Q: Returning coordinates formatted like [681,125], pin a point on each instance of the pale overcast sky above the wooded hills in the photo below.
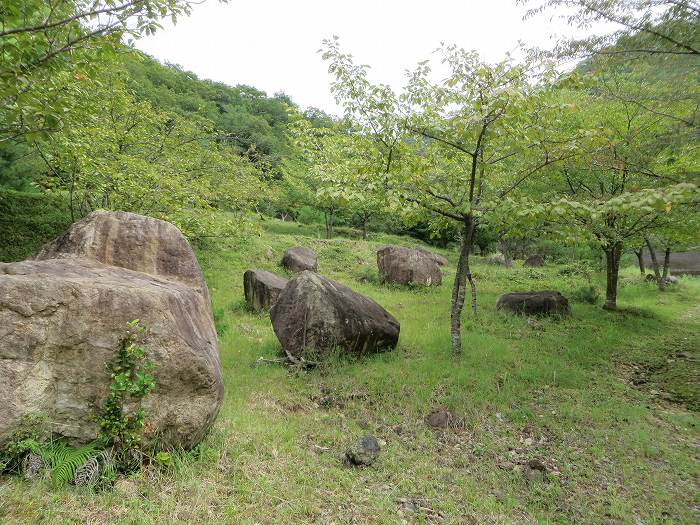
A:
[272,44]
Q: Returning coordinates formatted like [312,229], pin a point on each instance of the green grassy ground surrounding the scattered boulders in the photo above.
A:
[607,402]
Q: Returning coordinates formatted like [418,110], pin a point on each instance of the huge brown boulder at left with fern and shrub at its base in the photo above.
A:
[63,315]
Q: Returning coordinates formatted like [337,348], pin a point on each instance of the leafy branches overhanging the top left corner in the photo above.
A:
[48,46]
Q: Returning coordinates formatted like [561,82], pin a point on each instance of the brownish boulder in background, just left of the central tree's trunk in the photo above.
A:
[405,266]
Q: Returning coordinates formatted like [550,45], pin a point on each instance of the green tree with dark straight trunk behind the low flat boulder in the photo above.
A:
[630,174]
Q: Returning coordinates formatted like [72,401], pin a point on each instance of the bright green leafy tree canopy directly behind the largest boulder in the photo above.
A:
[119,153]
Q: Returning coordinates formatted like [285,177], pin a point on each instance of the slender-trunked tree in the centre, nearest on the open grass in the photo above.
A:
[451,150]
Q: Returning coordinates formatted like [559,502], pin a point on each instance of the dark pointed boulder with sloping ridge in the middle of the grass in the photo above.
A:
[318,315]
